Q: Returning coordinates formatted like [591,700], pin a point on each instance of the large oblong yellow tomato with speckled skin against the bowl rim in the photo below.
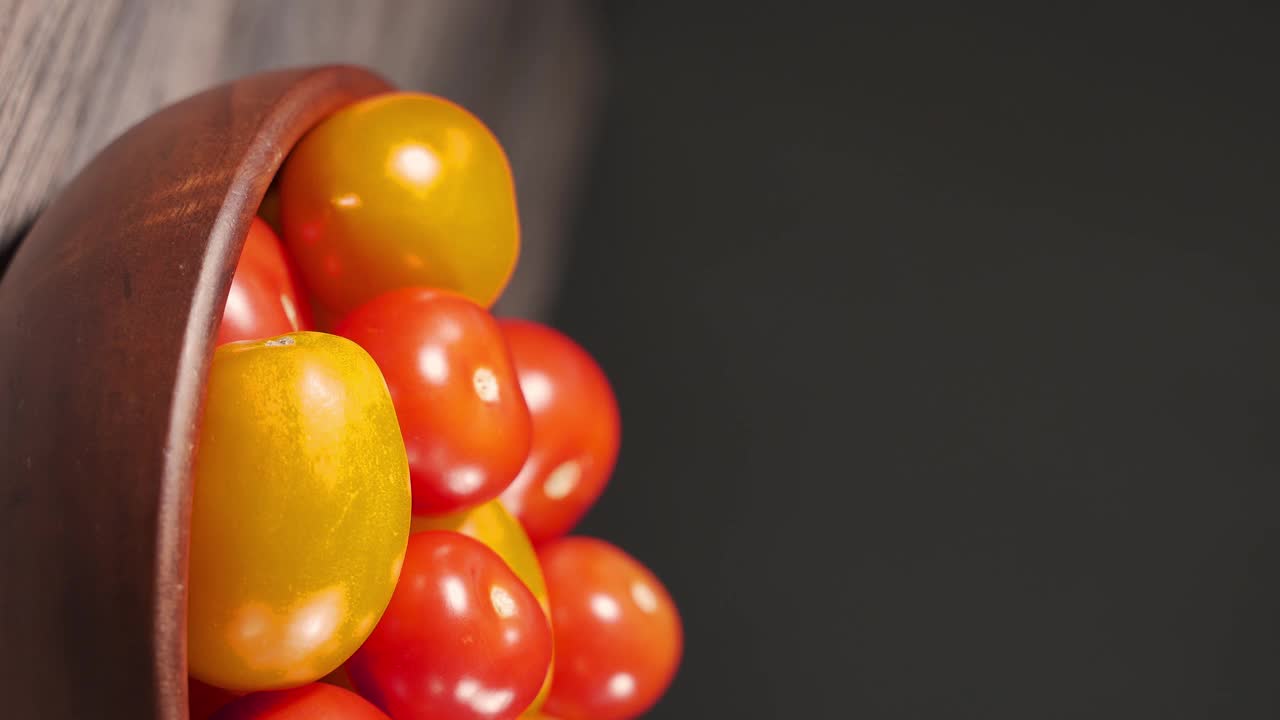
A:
[300,513]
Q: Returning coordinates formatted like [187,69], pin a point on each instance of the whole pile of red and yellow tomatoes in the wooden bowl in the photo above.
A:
[386,473]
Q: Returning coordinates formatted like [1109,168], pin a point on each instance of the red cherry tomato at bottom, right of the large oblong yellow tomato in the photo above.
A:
[461,640]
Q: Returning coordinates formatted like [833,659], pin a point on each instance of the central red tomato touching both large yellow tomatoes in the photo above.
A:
[465,423]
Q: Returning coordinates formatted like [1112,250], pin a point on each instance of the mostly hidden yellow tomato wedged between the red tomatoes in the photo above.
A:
[500,532]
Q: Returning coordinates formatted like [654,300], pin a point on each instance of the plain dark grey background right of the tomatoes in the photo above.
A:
[948,353]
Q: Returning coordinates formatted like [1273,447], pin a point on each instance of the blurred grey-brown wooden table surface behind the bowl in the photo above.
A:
[74,75]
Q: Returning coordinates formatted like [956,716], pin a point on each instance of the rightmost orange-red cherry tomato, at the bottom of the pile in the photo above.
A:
[619,637]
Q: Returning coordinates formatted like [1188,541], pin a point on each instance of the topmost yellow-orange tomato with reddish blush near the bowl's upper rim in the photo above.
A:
[396,192]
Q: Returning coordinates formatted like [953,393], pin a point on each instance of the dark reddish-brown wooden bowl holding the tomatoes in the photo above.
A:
[108,313]
